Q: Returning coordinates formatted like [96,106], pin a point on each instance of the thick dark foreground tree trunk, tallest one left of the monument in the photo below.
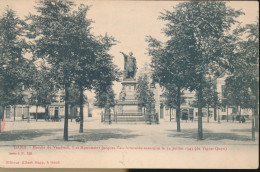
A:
[66,114]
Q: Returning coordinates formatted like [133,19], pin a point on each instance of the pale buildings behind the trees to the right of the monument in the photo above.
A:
[188,112]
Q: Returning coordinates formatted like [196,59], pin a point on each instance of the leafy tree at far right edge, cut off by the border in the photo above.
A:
[242,86]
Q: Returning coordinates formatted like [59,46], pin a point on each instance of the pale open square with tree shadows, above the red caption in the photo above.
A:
[97,133]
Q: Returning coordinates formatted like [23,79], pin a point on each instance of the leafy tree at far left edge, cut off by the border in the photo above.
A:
[14,67]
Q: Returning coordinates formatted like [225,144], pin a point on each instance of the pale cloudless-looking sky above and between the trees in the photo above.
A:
[129,22]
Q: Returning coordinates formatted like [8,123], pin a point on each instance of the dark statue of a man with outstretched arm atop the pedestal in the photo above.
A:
[129,66]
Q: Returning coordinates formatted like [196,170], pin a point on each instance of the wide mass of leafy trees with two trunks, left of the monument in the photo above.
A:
[54,47]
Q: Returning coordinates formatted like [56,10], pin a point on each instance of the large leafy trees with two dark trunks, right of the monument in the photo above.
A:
[201,46]
